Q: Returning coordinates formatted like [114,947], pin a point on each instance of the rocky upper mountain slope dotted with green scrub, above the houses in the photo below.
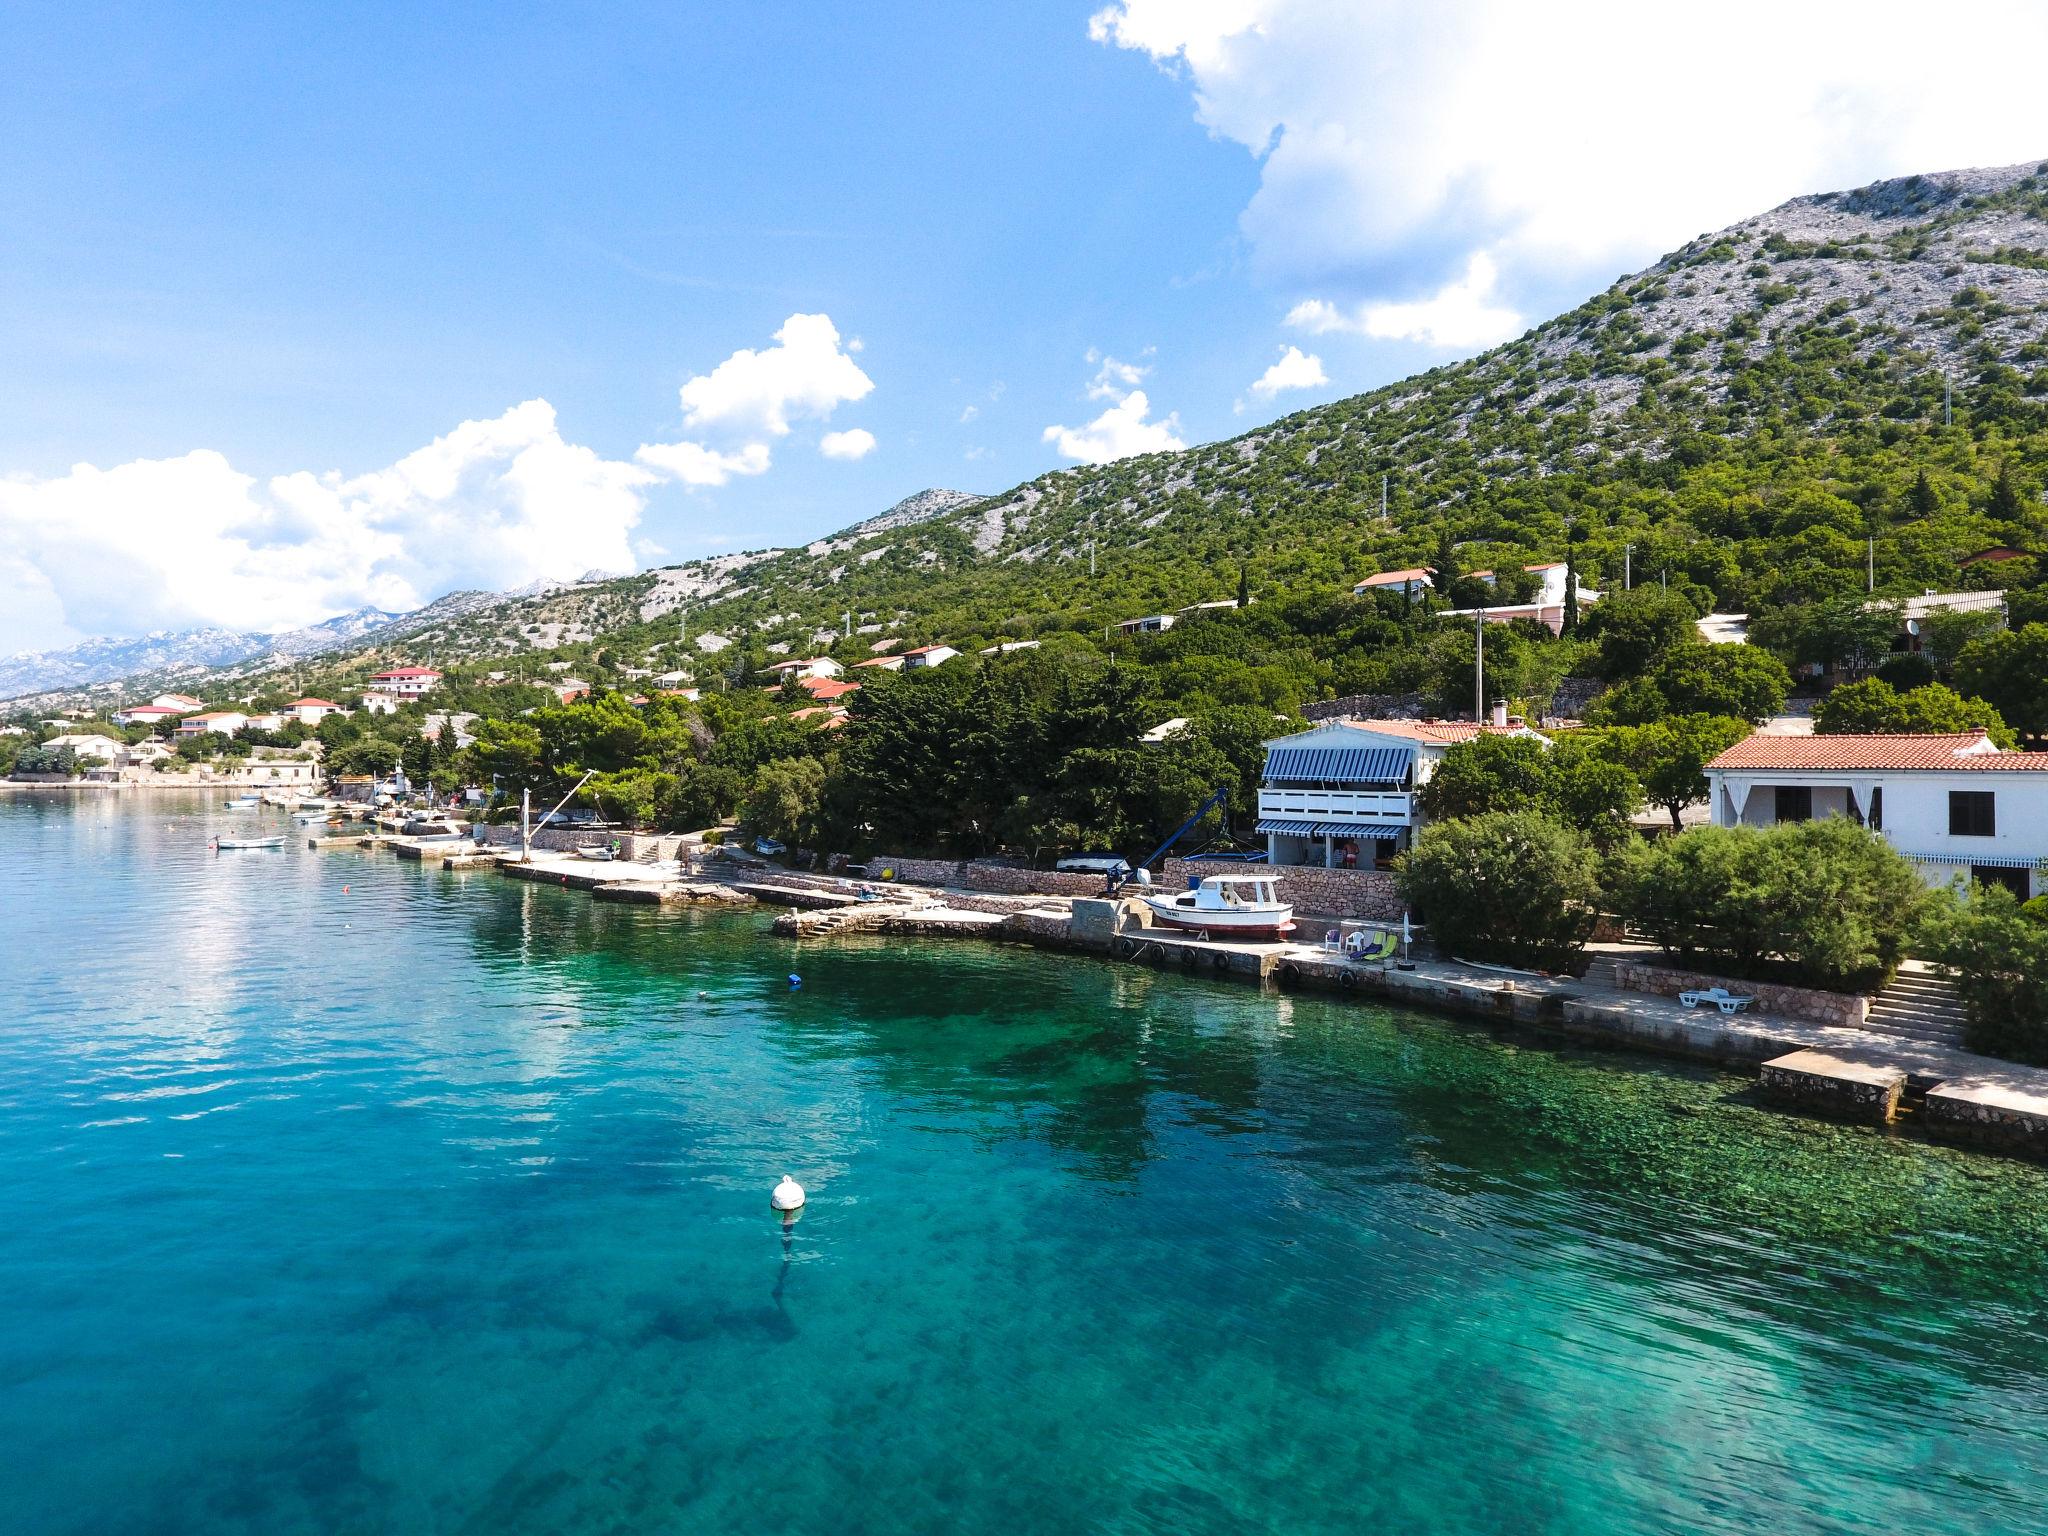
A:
[1664,415]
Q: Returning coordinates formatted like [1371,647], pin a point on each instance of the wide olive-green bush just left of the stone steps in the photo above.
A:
[1822,904]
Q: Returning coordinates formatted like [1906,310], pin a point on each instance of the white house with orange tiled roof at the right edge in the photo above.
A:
[1957,806]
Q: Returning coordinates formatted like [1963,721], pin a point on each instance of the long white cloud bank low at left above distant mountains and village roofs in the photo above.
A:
[169,544]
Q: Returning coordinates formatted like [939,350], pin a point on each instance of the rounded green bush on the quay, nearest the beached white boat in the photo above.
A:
[1514,888]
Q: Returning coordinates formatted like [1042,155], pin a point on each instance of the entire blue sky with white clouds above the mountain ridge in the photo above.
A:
[263,265]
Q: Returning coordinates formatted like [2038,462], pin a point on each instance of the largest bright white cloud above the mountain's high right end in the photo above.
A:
[1400,140]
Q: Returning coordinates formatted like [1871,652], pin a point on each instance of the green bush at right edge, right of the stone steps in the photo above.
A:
[1996,947]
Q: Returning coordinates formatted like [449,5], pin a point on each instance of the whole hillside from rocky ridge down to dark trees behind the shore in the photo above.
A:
[1846,390]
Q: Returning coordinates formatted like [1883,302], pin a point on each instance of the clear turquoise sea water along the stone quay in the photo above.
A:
[349,1197]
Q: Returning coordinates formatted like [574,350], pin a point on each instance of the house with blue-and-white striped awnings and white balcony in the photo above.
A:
[1342,796]
